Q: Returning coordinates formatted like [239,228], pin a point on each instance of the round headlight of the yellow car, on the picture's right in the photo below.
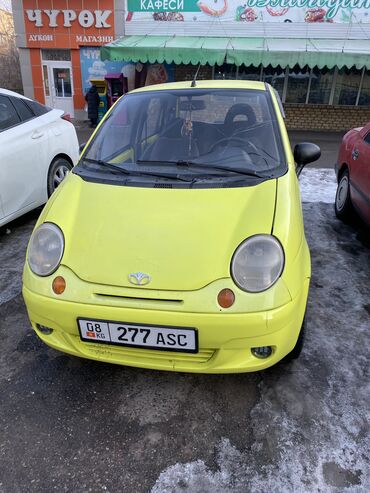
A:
[257,263]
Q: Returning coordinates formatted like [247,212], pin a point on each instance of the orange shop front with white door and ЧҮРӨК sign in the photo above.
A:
[56,40]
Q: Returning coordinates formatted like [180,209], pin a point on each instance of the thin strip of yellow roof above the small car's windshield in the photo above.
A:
[206,84]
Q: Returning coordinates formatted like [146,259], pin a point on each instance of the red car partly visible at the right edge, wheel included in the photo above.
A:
[353,174]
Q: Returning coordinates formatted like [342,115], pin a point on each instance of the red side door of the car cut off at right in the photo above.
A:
[360,173]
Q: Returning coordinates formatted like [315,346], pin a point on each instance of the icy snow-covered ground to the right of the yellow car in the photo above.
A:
[310,426]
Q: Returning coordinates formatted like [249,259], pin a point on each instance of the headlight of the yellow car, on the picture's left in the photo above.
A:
[45,250]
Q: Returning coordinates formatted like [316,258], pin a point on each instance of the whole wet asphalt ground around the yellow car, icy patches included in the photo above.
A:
[69,424]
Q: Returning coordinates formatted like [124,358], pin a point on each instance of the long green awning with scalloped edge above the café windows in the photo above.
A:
[248,51]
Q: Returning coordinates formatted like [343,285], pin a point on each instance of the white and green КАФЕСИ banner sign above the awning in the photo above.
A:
[248,11]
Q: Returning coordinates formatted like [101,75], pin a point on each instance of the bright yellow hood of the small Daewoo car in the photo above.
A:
[182,238]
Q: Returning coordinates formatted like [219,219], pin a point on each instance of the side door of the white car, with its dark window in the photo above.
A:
[22,149]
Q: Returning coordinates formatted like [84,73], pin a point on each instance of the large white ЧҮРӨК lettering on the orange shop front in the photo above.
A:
[55,18]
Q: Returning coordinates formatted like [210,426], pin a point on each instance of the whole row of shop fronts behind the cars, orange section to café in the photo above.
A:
[316,53]
